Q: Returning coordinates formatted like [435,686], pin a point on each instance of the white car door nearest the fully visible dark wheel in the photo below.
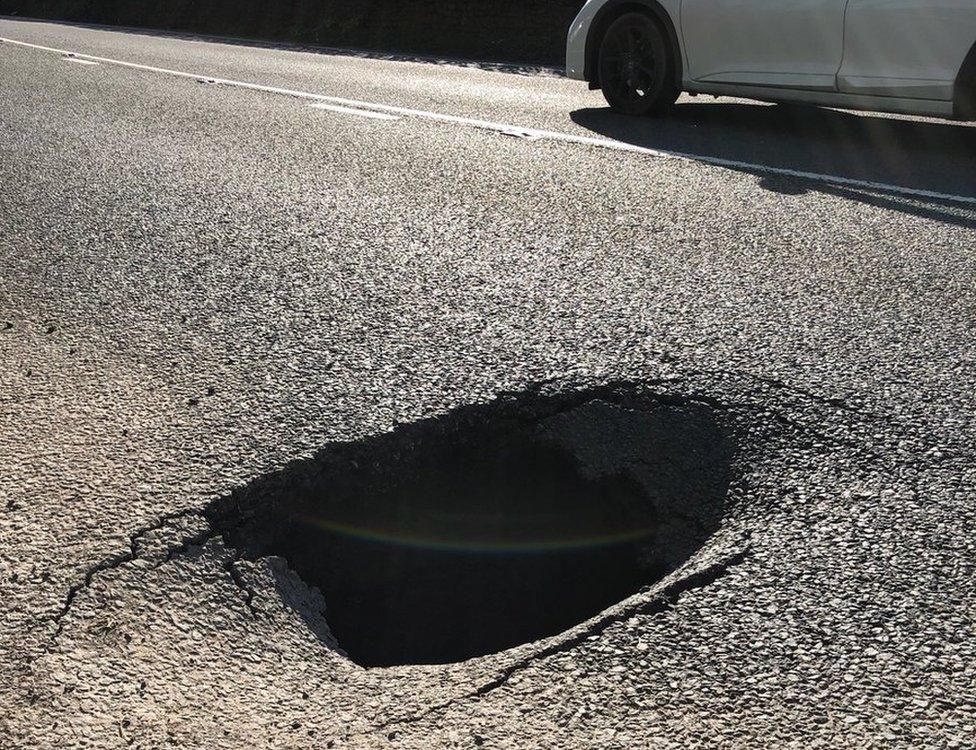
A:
[781,43]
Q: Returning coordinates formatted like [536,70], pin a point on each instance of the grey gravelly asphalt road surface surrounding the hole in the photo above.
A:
[203,287]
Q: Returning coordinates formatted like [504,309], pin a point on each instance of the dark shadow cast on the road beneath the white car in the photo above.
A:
[922,155]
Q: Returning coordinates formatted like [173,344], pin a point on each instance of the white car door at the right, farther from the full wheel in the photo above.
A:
[906,48]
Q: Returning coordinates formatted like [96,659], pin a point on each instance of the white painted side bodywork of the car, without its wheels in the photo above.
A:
[885,55]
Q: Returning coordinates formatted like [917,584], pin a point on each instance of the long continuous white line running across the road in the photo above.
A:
[529,133]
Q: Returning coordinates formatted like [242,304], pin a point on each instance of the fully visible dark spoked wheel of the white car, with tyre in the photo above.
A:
[635,66]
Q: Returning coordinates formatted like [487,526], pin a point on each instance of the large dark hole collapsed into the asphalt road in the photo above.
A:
[494,525]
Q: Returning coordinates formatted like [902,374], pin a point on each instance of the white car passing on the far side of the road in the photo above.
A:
[909,56]
